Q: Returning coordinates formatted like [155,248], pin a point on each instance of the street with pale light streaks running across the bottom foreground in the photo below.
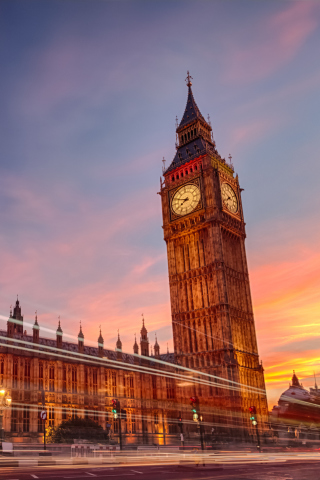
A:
[241,466]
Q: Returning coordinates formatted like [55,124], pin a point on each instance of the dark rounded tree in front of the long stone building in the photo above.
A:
[76,429]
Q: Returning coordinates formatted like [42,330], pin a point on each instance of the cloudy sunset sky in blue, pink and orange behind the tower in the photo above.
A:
[89,95]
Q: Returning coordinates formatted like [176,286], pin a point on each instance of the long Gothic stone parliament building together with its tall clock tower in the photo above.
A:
[215,349]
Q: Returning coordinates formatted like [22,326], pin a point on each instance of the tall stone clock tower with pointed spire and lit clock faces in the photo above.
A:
[204,229]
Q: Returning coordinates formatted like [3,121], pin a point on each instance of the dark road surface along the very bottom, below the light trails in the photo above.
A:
[288,470]
